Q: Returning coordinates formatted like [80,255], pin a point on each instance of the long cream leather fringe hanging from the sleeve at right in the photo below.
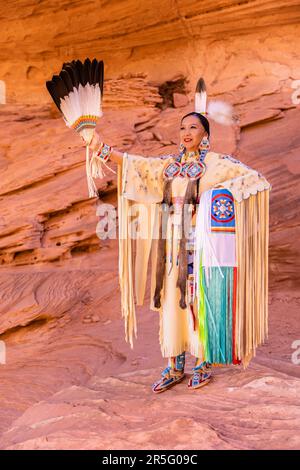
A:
[252,232]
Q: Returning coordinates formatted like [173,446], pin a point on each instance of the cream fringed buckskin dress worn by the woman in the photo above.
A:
[230,315]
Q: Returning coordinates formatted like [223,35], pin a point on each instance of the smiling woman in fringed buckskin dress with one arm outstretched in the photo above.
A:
[201,221]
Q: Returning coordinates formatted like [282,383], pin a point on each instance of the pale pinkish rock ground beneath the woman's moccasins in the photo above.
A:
[72,382]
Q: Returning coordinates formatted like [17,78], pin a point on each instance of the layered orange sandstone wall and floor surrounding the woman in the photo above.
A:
[69,379]
